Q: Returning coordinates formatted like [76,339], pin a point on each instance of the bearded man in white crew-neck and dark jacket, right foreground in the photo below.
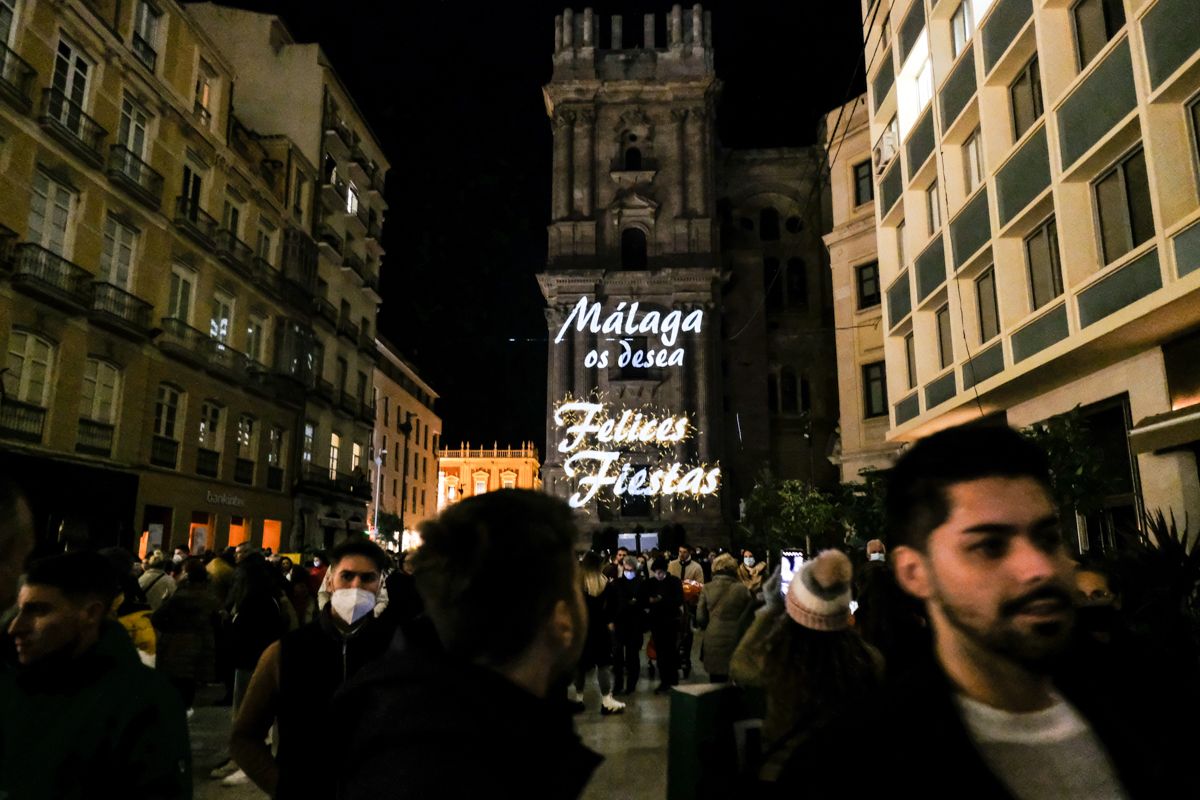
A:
[976,538]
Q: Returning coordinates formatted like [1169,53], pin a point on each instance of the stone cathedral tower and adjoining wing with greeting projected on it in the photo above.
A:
[677,372]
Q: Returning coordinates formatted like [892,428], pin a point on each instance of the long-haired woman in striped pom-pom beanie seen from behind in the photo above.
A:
[802,651]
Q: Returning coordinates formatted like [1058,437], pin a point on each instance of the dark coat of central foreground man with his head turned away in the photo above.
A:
[430,726]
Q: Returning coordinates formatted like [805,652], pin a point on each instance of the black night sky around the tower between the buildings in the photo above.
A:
[454,92]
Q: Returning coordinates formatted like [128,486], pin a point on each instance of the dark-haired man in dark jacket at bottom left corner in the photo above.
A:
[80,715]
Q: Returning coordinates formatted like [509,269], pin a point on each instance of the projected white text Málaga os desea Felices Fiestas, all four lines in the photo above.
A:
[598,437]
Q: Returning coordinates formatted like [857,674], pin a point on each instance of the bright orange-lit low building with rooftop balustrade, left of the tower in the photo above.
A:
[469,472]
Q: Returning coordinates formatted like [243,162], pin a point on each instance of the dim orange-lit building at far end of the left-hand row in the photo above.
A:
[407,441]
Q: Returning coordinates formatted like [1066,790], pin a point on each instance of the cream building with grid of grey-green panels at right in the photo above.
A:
[1037,207]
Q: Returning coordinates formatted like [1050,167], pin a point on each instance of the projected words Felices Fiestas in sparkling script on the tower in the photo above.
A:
[595,437]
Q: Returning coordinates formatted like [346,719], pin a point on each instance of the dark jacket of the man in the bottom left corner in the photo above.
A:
[98,726]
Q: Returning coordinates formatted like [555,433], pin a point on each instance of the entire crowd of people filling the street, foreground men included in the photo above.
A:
[979,659]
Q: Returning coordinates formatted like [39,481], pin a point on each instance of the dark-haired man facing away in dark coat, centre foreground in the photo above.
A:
[464,720]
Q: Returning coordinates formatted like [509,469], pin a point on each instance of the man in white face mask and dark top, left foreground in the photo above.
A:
[298,676]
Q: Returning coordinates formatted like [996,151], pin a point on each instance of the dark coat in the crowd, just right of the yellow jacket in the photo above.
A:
[187,635]
